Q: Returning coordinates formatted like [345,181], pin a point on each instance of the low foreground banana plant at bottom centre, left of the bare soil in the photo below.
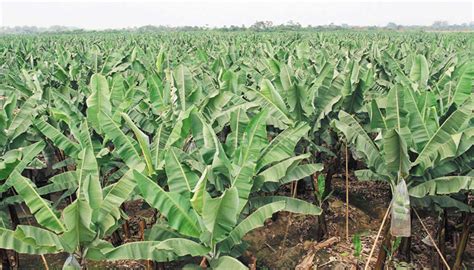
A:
[201,225]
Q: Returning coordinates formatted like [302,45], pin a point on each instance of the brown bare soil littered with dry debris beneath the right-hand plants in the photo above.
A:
[288,243]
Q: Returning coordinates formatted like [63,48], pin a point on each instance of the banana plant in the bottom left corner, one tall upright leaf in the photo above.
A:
[93,215]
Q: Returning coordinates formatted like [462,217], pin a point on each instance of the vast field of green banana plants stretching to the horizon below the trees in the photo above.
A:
[244,150]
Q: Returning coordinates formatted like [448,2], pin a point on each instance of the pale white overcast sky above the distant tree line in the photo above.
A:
[113,14]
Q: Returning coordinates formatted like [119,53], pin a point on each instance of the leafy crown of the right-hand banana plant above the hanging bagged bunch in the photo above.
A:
[436,164]
